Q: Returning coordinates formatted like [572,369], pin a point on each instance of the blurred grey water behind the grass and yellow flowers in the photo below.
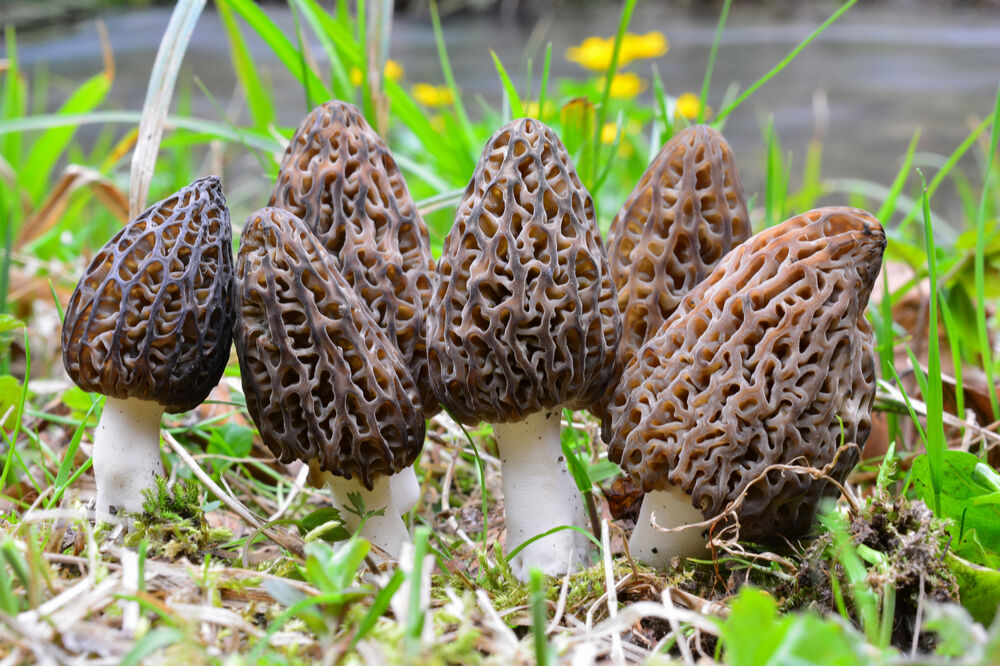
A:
[881,72]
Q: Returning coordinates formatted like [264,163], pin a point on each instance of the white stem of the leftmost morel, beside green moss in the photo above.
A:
[126,456]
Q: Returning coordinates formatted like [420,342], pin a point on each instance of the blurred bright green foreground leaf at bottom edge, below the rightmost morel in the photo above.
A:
[754,634]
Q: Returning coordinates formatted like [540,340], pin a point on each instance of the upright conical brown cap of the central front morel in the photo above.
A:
[524,316]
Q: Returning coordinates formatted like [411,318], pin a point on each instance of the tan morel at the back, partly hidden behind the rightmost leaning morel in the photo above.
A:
[687,211]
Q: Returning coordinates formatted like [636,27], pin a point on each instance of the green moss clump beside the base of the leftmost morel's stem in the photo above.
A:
[173,522]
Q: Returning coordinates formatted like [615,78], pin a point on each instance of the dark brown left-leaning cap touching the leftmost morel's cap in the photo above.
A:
[323,383]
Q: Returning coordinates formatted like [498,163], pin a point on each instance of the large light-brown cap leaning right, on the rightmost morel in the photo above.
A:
[768,361]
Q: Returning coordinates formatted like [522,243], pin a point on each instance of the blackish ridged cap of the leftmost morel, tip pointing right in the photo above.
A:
[152,316]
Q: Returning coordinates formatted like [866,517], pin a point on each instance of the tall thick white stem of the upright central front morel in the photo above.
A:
[539,495]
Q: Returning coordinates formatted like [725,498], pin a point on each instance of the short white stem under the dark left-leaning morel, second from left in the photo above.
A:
[387,532]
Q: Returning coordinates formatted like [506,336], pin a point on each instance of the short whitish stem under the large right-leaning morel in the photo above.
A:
[671,508]
